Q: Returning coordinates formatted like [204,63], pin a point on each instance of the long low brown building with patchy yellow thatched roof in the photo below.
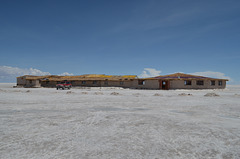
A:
[166,82]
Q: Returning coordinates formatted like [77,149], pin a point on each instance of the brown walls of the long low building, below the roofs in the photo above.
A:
[134,83]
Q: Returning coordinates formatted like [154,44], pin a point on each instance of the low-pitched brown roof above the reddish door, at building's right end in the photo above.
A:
[182,76]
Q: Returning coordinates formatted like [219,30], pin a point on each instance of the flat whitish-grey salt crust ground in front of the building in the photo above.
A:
[113,123]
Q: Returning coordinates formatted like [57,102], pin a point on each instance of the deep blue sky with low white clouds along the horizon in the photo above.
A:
[120,37]
